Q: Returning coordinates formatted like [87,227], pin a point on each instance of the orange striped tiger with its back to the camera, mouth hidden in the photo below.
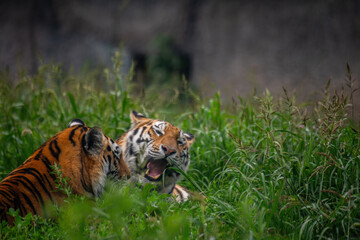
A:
[83,155]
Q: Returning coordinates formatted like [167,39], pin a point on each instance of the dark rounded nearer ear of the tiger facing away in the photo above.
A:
[93,141]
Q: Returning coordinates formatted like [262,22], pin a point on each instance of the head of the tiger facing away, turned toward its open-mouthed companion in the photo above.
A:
[91,154]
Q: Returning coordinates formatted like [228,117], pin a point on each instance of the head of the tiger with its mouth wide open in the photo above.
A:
[152,148]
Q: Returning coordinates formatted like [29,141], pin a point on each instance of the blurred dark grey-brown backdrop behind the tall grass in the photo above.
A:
[228,46]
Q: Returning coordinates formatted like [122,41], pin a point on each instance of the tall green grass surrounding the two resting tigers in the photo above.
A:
[270,168]
